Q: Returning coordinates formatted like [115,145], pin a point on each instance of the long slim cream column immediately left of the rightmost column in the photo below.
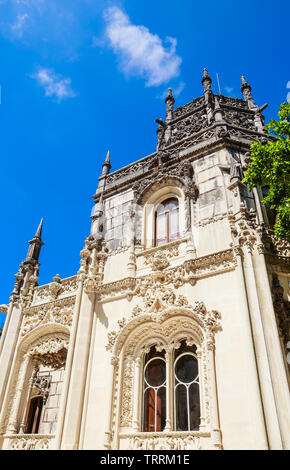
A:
[262,358]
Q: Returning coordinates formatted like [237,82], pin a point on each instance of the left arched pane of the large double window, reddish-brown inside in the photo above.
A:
[154,389]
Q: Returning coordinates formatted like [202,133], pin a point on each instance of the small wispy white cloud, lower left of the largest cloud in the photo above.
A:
[54,85]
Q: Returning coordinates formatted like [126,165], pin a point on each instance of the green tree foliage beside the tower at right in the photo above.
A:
[270,166]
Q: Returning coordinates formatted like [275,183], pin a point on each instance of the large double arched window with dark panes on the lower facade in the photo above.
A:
[182,367]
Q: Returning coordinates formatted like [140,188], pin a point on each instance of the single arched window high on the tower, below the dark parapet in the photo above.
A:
[167,221]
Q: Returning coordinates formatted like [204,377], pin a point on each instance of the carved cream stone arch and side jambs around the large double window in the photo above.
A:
[165,328]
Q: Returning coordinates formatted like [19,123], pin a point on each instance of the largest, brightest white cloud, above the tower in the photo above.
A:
[141,52]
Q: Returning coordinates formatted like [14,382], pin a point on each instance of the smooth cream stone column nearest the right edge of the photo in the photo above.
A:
[278,382]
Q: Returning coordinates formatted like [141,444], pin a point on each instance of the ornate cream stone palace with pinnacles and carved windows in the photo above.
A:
[173,333]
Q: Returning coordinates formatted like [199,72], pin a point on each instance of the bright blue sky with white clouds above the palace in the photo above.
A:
[79,77]
